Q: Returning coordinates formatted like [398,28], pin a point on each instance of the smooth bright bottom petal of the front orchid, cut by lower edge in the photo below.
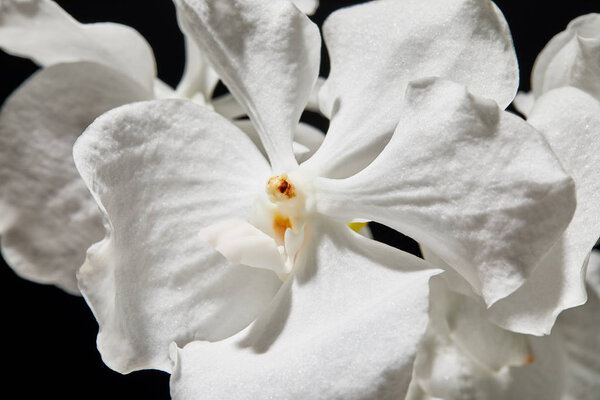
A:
[344,327]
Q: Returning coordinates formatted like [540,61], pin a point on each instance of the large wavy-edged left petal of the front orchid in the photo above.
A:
[161,171]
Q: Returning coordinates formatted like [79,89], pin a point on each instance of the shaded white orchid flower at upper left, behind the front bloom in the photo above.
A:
[48,219]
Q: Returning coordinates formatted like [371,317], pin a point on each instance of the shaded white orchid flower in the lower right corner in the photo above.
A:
[464,356]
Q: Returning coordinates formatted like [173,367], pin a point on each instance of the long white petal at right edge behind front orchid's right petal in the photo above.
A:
[570,121]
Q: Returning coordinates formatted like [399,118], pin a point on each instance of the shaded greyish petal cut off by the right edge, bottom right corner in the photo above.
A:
[579,328]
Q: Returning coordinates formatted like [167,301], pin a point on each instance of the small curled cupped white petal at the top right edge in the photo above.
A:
[571,58]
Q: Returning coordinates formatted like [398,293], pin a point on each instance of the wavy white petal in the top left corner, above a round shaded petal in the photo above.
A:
[42,31]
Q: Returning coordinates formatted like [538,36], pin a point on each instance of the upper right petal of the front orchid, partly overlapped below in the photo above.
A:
[378,47]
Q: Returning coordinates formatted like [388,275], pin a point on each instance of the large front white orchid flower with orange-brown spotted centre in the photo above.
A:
[459,174]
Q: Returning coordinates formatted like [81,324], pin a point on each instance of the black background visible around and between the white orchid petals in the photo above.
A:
[48,336]
